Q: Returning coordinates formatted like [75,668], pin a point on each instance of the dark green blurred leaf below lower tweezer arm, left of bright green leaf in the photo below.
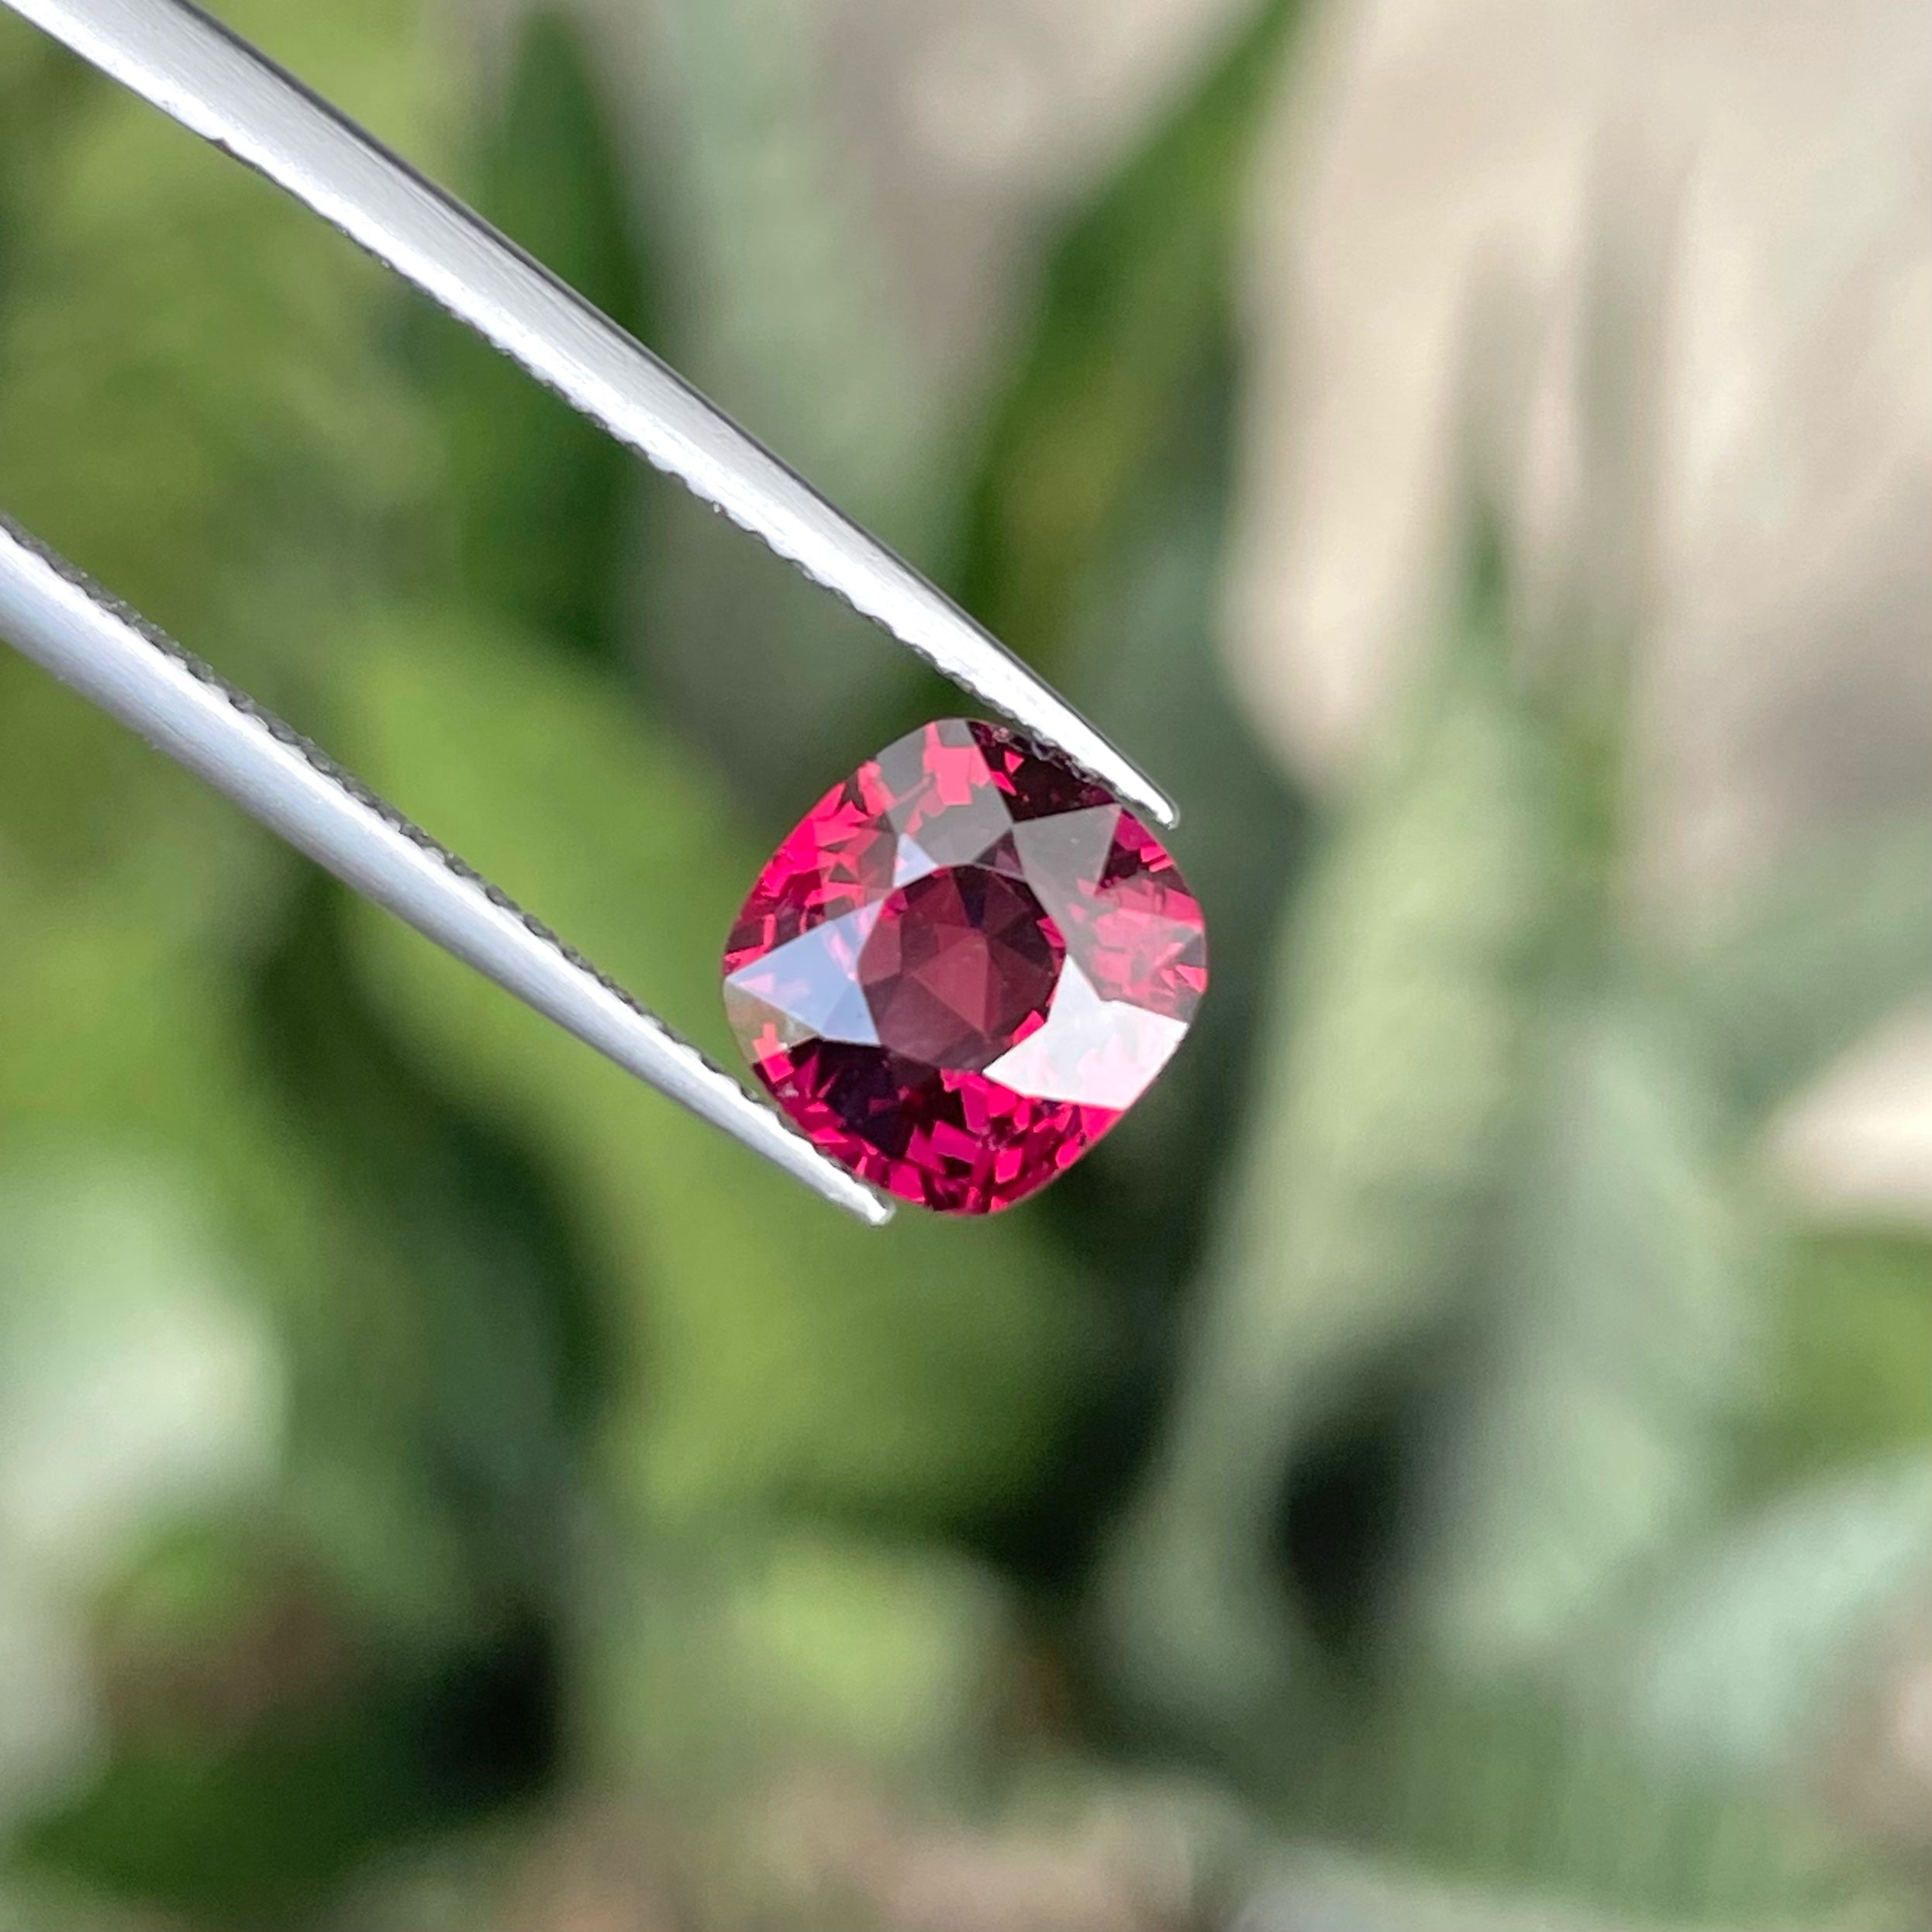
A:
[496,1299]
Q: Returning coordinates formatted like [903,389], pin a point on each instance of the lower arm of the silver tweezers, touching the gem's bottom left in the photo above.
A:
[84,639]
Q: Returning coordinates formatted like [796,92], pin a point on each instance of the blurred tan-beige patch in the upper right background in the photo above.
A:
[1496,169]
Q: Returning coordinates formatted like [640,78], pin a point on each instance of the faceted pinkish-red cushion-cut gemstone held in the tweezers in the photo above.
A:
[963,965]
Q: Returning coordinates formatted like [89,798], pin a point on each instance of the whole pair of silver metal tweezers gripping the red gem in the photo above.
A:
[227,92]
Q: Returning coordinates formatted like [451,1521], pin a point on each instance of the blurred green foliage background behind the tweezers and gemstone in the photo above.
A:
[1438,1467]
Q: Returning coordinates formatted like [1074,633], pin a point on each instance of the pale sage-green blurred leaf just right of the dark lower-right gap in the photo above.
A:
[1620,1344]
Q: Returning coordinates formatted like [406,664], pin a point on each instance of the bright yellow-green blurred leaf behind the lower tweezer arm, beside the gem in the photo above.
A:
[768,1351]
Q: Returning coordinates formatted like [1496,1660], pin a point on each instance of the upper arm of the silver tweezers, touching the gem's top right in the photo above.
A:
[233,96]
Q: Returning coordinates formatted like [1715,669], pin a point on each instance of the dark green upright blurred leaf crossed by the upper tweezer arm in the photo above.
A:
[542,497]
